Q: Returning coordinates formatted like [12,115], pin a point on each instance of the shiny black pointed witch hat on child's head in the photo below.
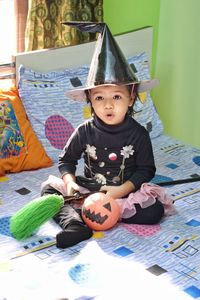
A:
[109,65]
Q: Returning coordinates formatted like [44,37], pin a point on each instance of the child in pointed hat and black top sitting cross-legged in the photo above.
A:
[117,150]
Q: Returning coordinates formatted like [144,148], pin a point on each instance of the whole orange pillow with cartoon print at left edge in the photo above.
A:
[20,148]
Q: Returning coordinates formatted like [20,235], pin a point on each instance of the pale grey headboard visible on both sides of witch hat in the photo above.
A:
[131,43]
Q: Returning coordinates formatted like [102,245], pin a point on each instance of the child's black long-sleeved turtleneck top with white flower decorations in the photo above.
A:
[112,154]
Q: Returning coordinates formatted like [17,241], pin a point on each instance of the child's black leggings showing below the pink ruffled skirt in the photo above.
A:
[146,216]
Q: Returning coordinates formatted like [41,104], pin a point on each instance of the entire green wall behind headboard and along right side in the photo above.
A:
[176,57]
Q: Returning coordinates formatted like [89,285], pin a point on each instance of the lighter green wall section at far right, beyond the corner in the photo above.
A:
[178,68]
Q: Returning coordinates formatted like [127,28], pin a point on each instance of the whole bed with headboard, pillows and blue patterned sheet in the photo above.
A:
[127,261]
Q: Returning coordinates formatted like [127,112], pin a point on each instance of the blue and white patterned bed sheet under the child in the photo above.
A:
[150,262]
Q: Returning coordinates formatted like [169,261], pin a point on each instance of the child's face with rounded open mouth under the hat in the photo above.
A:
[111,103]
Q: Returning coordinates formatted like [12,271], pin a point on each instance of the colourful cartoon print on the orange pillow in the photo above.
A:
[12,141]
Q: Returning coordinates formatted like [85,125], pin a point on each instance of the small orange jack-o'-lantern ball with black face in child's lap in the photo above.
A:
[100,212]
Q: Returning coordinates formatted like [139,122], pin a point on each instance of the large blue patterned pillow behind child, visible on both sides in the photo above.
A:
[54,117]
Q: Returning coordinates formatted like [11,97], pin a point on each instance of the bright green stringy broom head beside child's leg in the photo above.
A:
[30,217]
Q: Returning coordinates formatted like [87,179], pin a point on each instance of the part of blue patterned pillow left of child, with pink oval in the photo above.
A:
[53,116]
